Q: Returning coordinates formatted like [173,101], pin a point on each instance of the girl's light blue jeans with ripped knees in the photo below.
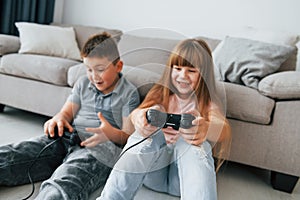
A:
[182,170]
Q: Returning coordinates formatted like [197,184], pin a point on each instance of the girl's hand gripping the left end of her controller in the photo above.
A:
[138,118]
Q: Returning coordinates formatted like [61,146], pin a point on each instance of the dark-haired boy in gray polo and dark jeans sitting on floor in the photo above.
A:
[98,109]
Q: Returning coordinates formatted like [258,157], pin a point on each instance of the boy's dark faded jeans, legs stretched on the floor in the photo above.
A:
[71,172]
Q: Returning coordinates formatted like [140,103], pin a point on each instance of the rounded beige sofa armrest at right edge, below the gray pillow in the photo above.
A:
[282,85]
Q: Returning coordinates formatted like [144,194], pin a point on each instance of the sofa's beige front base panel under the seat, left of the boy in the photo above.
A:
[31,95]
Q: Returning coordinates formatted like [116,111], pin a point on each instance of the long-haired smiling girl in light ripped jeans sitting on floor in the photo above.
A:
[177,162]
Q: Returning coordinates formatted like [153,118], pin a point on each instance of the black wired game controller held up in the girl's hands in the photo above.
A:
[163,120]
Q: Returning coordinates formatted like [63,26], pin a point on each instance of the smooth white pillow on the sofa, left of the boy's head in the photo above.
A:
[48,40]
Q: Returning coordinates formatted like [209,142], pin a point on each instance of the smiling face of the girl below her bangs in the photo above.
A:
[185,79]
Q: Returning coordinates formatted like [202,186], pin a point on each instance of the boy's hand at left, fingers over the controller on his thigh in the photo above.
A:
[60,123]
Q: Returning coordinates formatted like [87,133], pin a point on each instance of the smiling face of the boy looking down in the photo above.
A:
[103,73]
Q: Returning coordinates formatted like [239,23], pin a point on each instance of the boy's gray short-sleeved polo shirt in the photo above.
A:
[115,105]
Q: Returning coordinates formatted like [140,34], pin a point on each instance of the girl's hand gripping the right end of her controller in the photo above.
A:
[197,134]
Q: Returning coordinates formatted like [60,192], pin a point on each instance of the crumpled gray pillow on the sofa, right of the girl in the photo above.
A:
[245,61]
